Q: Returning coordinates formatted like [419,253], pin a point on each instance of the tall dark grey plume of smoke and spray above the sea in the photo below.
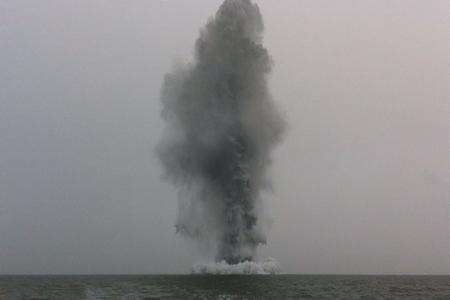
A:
[222,127]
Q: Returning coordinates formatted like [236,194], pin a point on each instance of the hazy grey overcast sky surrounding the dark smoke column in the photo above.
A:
[362,180]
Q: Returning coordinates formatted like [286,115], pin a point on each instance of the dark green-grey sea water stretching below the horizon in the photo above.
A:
[225,287]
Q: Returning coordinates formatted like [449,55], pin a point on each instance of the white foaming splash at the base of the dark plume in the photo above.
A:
[268,266]
